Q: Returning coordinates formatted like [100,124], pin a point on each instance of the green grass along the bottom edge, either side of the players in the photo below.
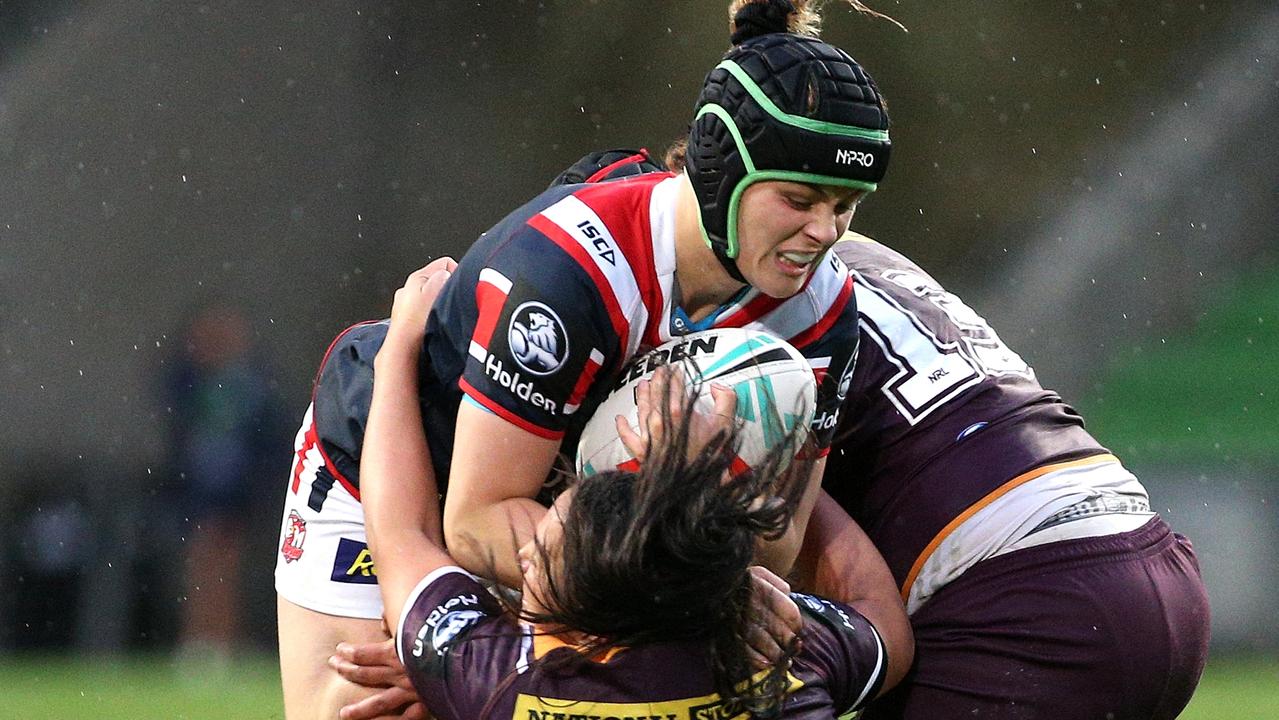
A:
[48,689]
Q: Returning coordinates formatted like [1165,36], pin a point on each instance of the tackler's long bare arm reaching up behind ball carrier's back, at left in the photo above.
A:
[398,488]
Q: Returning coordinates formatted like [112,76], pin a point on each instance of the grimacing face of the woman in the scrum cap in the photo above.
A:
[785,230]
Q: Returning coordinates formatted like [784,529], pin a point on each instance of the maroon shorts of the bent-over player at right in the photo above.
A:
[1097,629]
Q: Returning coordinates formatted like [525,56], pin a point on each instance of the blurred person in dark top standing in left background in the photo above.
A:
[226,428]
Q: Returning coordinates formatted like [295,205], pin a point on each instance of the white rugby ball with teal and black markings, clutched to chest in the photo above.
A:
[774,384]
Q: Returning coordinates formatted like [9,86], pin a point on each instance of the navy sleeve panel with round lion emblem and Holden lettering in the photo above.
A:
[521,325]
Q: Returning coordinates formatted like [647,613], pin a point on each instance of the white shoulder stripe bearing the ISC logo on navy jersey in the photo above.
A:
[584,226]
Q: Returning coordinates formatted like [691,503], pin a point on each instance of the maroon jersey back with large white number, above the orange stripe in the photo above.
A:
[941,412]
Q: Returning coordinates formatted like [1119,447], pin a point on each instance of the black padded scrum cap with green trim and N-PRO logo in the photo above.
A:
[782,107]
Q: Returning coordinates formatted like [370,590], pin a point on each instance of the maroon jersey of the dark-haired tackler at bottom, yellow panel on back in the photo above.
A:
[470,662]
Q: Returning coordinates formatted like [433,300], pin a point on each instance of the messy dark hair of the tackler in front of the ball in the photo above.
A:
[664,554]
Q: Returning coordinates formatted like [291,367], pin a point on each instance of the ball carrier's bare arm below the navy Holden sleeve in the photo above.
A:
[489,512]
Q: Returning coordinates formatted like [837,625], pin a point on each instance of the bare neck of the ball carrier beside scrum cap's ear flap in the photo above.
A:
[704,285]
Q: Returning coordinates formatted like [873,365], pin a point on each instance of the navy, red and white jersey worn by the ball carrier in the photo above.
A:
[557,299]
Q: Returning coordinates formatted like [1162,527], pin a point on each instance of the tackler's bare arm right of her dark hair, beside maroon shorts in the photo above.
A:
[840,562]
